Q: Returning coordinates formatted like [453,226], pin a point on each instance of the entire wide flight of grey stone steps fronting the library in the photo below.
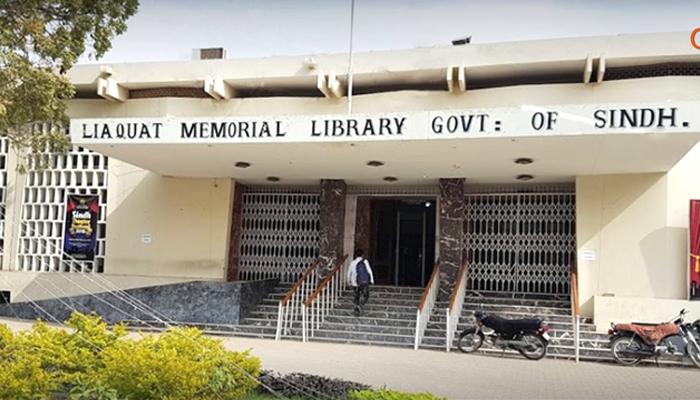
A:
[389,319]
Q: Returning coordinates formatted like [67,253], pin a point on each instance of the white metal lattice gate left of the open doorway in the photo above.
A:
[280,235]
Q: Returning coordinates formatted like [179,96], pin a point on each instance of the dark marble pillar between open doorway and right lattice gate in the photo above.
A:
[451,232]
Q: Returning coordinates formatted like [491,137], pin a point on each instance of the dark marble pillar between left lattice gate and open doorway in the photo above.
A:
[332,223]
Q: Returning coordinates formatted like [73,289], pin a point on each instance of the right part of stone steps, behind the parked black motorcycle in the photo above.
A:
[555,310]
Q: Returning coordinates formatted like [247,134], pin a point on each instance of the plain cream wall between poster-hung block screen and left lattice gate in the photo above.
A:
[188,220]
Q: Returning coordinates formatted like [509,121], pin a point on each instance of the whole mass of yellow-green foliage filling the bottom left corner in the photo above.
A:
[94,362]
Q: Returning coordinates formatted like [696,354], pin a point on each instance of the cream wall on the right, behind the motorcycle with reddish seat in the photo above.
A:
[638,227]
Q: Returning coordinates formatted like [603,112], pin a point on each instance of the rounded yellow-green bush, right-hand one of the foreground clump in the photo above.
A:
[178,364]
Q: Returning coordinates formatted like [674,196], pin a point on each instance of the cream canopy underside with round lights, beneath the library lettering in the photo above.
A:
[489,160]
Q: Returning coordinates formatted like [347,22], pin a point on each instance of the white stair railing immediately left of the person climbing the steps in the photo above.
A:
[323,299]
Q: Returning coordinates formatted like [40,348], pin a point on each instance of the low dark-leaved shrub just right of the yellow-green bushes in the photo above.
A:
[298,384]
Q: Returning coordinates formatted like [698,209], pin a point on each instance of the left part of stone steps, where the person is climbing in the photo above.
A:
[388,318]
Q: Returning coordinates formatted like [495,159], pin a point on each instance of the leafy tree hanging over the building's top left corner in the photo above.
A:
[39,41]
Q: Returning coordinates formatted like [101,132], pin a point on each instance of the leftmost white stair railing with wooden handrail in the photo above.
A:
[289,309]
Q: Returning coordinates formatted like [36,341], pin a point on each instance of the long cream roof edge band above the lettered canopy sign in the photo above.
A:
[484,65]
